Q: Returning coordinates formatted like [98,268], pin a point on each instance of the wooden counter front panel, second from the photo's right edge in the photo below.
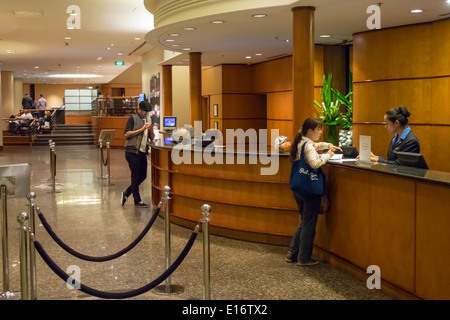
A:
[392,229]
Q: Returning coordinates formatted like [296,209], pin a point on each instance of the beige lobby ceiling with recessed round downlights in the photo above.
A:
[35,31]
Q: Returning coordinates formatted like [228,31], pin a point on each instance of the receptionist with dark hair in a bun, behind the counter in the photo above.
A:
[404,140]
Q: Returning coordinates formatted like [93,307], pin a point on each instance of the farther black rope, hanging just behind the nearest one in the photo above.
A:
[97,259]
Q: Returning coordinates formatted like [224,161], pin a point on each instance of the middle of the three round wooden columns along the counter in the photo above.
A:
[195,78]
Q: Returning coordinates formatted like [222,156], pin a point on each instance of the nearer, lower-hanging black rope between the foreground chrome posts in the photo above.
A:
[116,295]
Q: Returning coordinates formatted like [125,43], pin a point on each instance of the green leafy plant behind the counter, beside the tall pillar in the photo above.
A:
[329,109]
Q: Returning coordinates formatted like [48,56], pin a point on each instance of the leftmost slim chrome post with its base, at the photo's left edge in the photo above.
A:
[6,294]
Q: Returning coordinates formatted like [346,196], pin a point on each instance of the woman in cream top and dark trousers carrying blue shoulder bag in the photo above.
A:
[302,242]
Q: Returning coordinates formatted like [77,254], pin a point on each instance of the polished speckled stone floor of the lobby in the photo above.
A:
[86,214]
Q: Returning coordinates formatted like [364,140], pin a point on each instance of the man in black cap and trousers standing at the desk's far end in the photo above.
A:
[139,133]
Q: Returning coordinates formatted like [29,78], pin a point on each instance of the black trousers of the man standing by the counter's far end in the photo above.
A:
[138,166]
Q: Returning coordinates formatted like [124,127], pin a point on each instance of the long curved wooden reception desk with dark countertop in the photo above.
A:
[394,217]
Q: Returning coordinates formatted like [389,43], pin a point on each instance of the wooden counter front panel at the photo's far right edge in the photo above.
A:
[433,238]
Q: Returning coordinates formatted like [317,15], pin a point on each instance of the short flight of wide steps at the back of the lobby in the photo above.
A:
[67,134]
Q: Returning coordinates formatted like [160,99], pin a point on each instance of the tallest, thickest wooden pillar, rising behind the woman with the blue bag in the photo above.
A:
[303,65]
